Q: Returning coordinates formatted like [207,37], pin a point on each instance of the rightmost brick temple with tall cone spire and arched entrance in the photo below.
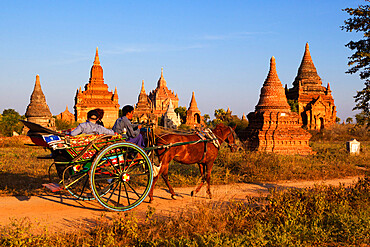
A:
[315,102]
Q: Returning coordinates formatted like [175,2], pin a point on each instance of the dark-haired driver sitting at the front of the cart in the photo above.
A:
[124,125]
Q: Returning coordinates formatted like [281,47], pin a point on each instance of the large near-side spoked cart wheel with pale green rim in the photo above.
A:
[121,176]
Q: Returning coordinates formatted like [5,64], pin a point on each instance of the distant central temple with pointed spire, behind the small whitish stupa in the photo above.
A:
[161,96]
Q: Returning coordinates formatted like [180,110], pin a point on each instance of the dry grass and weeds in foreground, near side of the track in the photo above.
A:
[322,216]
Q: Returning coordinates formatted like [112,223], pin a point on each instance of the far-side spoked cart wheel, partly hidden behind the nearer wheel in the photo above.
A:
[76,180]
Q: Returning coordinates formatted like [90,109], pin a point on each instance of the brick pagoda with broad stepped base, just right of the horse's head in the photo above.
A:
[273,127]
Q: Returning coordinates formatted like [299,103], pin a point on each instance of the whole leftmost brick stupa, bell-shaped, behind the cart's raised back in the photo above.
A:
[38,111]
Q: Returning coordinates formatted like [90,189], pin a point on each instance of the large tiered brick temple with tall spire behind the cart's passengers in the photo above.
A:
[96,95]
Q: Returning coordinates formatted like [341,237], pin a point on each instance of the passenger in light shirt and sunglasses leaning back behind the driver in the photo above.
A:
[90,126]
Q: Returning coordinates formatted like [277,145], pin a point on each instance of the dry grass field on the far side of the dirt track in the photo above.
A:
[21,173]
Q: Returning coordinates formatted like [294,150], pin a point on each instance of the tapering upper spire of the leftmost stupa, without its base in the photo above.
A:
[38,106]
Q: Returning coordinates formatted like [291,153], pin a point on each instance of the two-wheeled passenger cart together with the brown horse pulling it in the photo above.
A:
[119,174]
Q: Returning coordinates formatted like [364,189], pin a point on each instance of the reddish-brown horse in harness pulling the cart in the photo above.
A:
[203,153]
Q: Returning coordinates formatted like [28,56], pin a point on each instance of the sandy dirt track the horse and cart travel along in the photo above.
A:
[64,213]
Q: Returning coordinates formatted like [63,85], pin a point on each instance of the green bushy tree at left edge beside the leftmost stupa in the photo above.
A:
[9,122]
